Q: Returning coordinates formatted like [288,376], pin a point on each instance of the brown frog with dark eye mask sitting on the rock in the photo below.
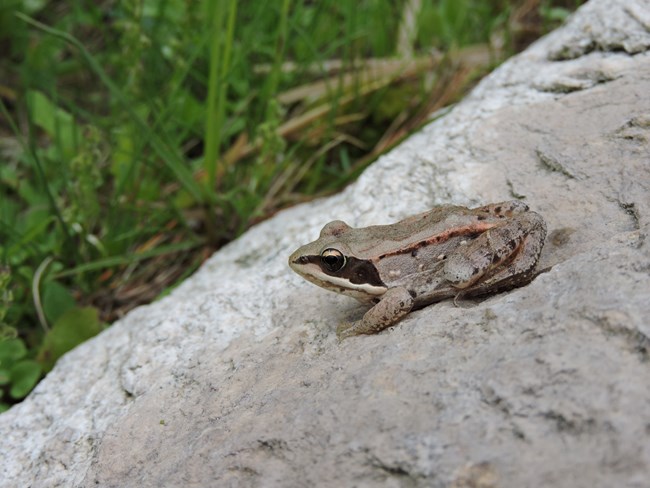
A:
[449,251]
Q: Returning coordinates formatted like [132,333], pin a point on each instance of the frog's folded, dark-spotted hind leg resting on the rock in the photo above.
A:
[503,255]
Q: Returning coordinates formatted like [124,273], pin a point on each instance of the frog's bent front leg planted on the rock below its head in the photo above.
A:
[394,305]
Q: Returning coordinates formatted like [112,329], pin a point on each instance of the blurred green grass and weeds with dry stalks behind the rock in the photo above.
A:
[137,137]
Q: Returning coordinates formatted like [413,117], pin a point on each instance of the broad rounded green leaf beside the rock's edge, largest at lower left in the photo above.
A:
[72,328]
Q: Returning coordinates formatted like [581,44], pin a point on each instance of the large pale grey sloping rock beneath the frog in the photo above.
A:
[236,378]
